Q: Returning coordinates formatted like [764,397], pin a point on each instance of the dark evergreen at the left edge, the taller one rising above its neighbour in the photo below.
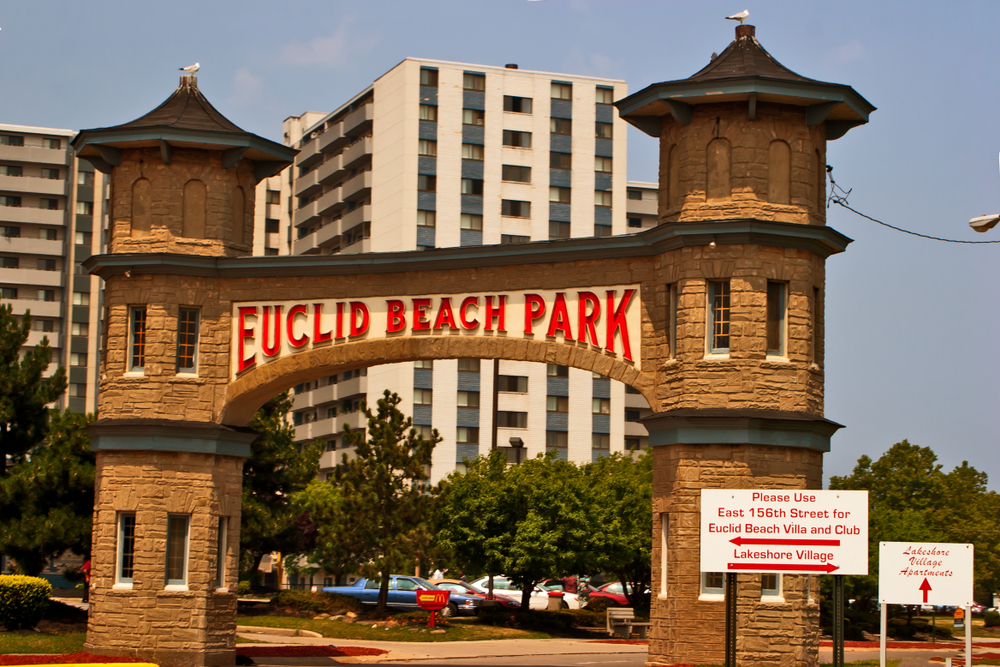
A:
[24,393]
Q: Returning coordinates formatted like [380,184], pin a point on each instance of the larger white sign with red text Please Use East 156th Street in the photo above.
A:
[786,530]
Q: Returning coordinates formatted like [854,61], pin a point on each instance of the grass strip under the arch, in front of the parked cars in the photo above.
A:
[457,629]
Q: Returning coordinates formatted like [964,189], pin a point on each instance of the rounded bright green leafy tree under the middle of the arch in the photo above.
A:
[528,521]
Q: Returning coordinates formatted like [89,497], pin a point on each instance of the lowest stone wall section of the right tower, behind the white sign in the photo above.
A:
[689,629]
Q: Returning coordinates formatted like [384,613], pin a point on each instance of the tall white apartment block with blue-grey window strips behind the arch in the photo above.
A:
[437,154]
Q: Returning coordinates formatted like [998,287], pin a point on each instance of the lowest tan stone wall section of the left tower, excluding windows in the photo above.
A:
[143,619]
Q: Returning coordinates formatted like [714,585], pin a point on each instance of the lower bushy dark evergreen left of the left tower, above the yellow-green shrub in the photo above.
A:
[47,500]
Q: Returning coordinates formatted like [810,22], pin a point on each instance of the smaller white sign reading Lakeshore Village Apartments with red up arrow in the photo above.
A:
[925,573]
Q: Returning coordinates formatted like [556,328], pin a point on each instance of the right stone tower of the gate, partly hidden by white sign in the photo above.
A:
[740,400]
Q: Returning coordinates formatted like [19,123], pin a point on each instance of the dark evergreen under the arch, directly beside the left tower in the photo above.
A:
[276,469]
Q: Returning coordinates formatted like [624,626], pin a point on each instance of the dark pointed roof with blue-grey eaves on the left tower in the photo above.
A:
[185,119]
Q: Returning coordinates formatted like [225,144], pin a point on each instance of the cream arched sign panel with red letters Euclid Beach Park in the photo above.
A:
[606,319]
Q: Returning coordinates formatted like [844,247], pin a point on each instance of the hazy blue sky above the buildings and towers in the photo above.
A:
[912,325]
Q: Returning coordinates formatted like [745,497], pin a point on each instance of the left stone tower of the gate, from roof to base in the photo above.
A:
[169,479]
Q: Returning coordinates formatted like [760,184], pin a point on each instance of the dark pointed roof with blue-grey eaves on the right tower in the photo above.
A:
[746,71]
